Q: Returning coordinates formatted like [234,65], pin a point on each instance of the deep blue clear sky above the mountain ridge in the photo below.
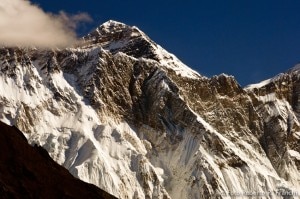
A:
[251,40]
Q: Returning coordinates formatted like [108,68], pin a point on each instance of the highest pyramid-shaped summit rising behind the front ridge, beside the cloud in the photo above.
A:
[118,37]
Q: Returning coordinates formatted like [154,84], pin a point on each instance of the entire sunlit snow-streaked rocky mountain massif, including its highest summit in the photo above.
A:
[122,113]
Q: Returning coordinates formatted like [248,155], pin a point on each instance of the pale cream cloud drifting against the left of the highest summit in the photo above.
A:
[25,24]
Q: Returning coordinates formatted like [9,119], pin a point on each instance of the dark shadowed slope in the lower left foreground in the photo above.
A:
[29,172]
